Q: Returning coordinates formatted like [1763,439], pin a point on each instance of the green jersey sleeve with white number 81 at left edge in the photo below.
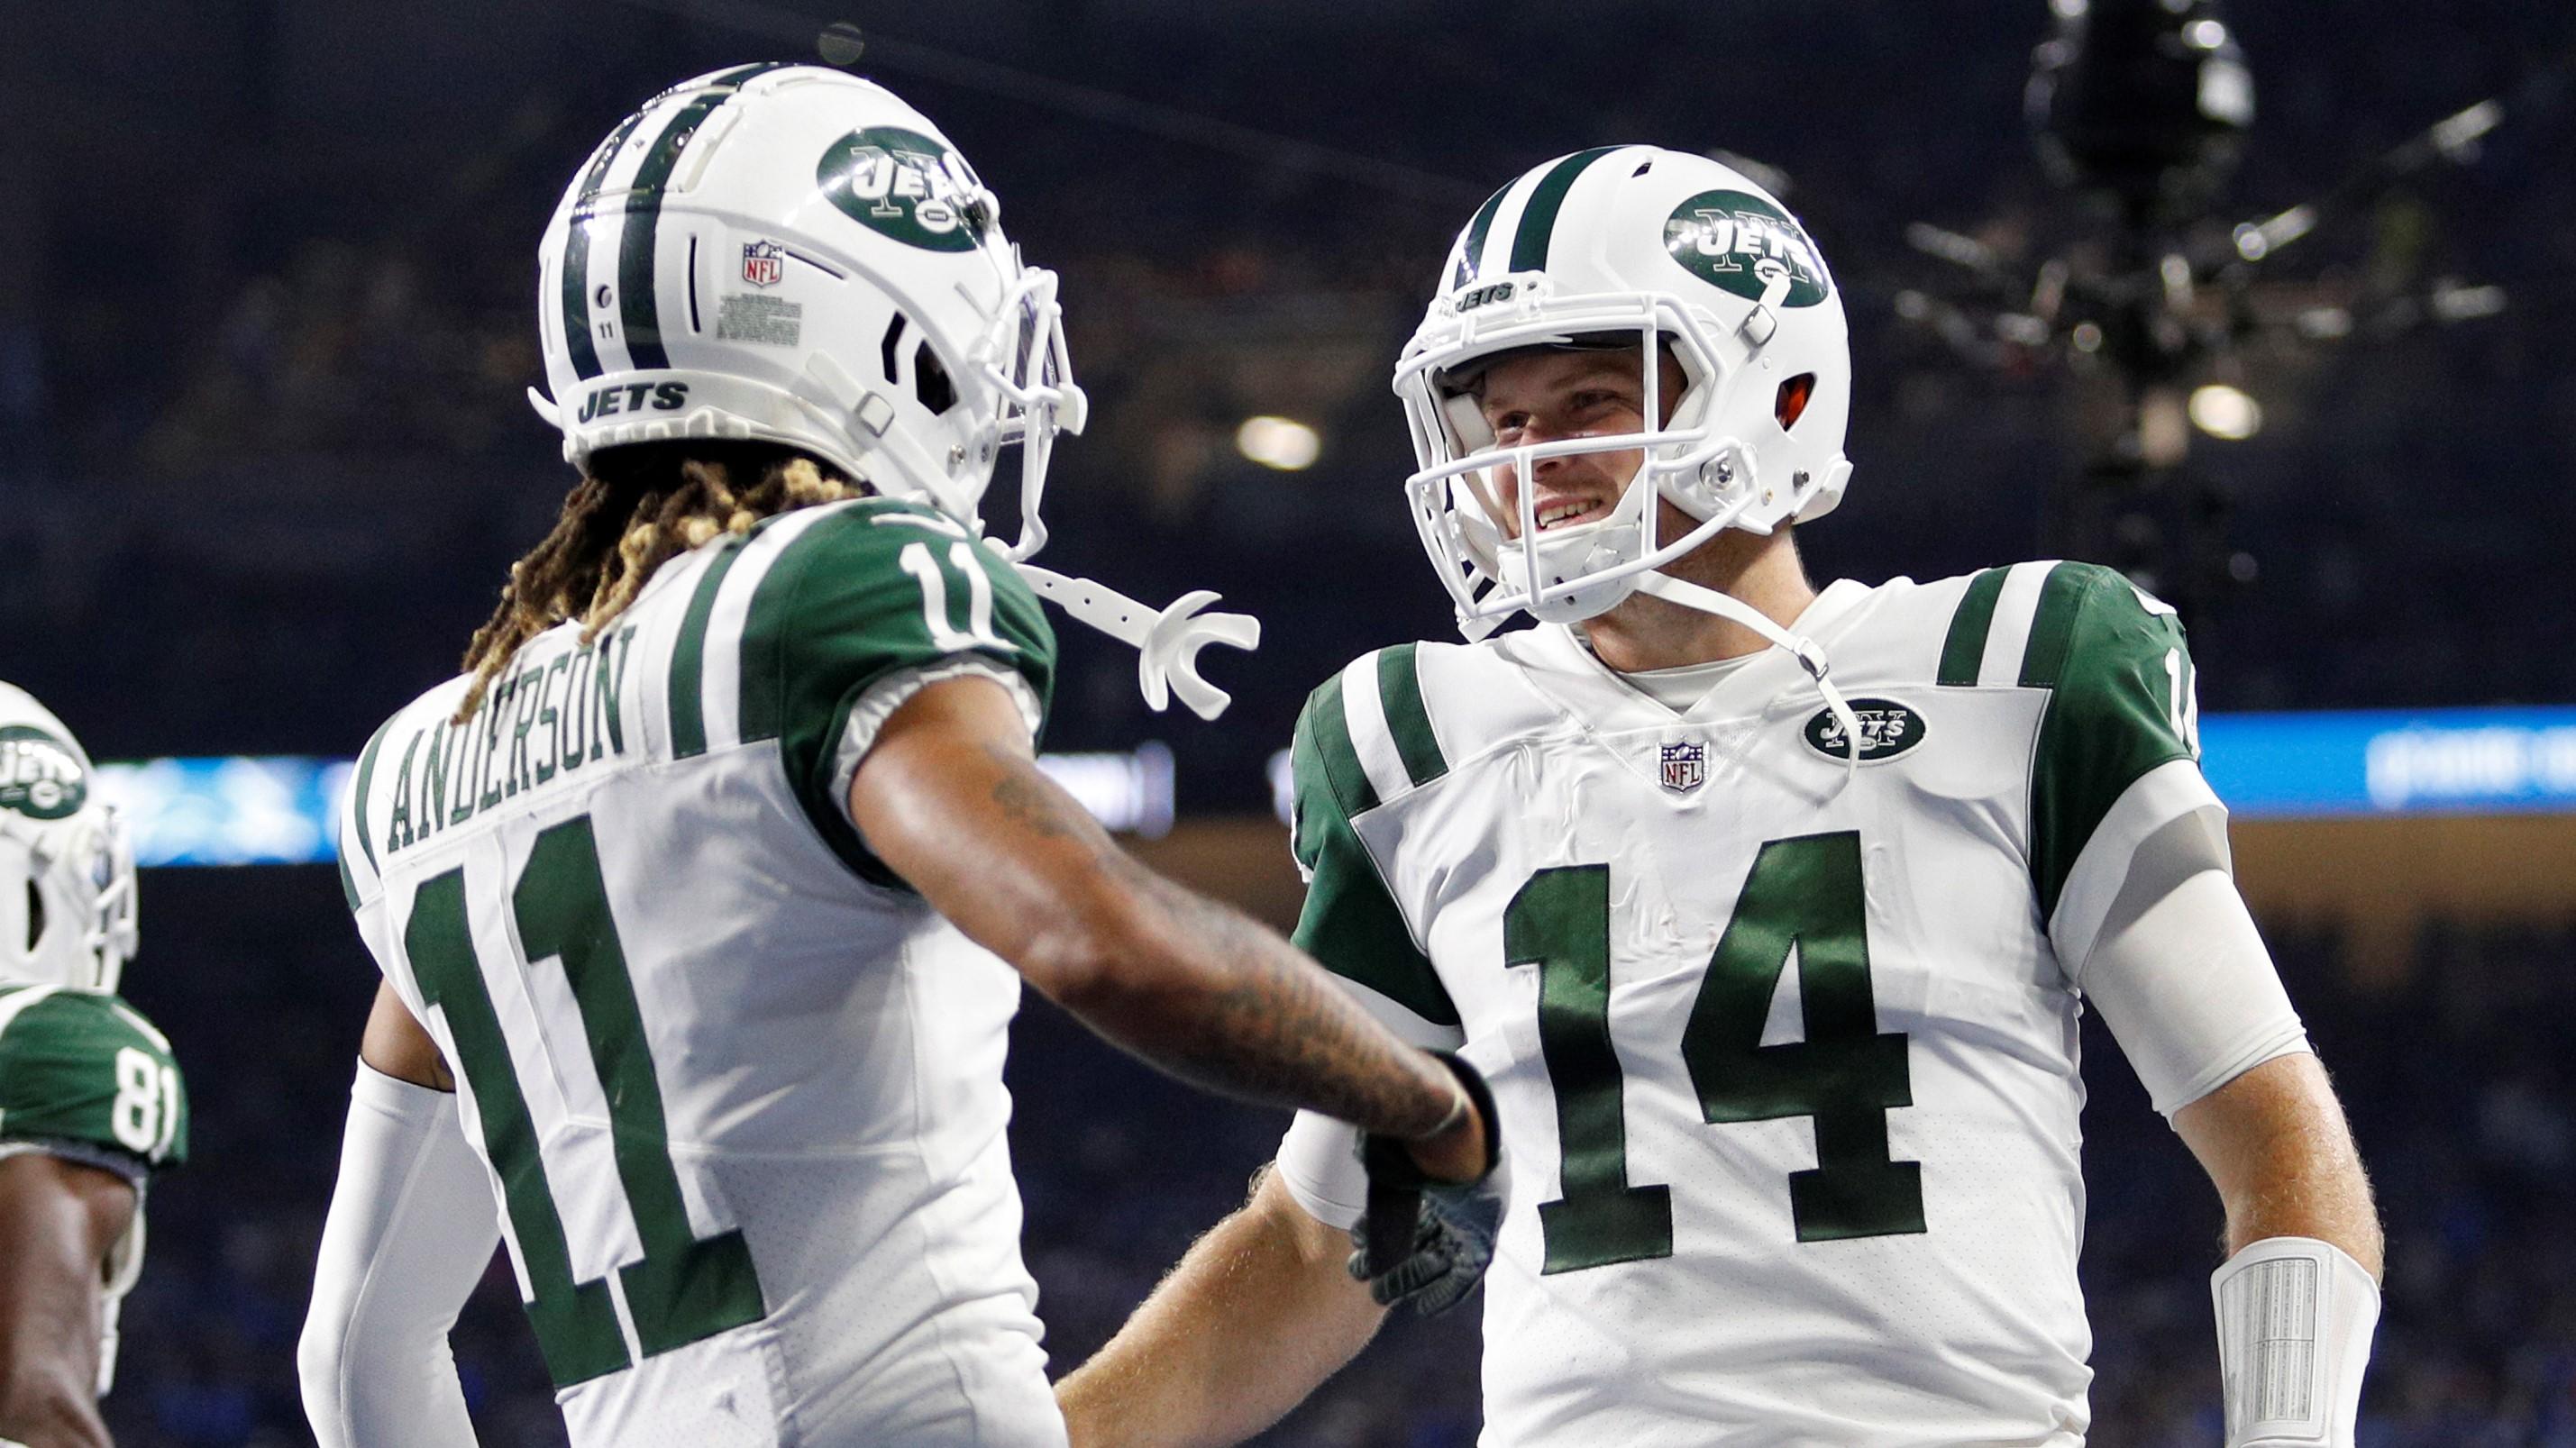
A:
[73,1068]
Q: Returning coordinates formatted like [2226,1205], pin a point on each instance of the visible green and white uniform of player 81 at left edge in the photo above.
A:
[86,1078]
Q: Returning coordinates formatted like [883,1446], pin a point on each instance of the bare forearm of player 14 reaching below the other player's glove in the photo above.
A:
[1251,1323]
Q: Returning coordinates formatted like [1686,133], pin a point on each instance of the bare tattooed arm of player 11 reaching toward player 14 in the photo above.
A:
[952,800]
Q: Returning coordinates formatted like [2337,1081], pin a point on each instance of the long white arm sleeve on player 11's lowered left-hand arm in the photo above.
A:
[411,1230]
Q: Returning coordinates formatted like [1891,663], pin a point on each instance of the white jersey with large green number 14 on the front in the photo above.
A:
[1784,1047]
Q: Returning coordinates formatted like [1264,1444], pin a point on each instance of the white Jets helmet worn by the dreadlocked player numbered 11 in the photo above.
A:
[797,256]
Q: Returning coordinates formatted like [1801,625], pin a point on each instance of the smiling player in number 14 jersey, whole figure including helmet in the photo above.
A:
[1768,913]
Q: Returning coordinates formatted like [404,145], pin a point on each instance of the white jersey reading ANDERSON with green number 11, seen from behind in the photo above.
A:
[741,1094]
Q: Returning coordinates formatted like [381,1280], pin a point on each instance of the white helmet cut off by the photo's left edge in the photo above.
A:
[66,864]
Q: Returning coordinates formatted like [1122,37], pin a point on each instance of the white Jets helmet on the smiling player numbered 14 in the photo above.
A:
[1634,249]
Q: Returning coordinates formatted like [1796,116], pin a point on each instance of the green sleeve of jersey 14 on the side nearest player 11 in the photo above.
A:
[1351,924]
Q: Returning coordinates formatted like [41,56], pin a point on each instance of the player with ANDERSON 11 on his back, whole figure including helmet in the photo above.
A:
[712,882]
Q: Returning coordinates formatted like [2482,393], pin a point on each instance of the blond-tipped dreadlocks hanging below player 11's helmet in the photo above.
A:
[635,511]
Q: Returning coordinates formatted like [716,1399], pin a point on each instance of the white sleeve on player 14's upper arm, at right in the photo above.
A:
[2181,975]
